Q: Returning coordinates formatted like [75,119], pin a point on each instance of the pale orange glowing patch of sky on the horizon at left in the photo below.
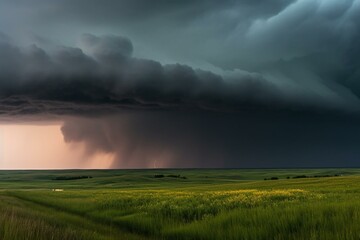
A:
[43,147]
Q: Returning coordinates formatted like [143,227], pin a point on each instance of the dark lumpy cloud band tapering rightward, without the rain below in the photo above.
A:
[108,77]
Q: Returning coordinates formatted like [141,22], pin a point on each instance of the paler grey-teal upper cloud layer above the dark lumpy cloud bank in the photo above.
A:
[231,34]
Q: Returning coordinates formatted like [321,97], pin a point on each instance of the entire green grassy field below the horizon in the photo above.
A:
[180,204]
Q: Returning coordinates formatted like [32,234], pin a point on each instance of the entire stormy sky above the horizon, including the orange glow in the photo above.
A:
[162,84]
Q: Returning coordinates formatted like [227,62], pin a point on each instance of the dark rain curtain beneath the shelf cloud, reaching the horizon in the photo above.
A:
[212,139]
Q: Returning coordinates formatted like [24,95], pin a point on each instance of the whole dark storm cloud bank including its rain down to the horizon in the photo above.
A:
[173,115]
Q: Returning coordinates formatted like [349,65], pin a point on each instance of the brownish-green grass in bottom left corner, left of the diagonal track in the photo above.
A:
[21,220]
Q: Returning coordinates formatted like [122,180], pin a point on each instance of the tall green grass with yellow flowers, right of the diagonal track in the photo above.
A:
[227,214]
